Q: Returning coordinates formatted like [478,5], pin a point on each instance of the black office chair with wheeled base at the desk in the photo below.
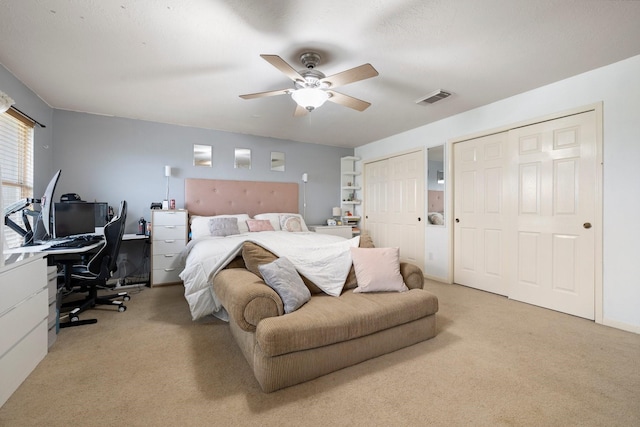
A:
[94,275]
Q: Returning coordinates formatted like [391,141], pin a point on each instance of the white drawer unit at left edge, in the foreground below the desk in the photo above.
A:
[24,312]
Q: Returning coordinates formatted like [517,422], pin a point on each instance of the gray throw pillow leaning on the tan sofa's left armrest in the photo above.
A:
[282,277]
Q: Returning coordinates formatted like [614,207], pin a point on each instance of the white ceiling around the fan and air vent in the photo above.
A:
[186,61]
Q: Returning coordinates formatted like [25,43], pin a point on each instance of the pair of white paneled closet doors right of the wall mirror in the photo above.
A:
[525,206]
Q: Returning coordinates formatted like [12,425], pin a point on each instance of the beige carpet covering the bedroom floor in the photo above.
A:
[493,362]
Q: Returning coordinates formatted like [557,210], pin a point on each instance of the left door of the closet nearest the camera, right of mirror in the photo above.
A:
[481,206]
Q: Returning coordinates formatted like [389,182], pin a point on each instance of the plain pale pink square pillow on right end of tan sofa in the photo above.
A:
[377,270]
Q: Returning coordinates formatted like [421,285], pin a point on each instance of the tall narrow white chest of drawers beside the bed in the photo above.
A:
[169,232]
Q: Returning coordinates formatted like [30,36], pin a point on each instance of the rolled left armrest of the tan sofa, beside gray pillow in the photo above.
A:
[246,297]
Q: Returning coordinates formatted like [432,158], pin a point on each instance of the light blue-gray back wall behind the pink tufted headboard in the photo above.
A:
[110,159]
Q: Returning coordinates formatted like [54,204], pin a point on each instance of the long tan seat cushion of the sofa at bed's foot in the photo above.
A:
[326,320]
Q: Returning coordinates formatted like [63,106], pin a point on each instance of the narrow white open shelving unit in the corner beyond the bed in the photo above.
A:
[350,200]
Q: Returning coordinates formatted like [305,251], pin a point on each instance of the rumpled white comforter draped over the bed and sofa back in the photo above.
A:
[322,258]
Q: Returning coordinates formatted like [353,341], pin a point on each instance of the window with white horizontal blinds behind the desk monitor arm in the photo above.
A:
[16,161]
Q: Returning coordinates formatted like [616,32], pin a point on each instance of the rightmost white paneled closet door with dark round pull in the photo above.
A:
[553,245]
